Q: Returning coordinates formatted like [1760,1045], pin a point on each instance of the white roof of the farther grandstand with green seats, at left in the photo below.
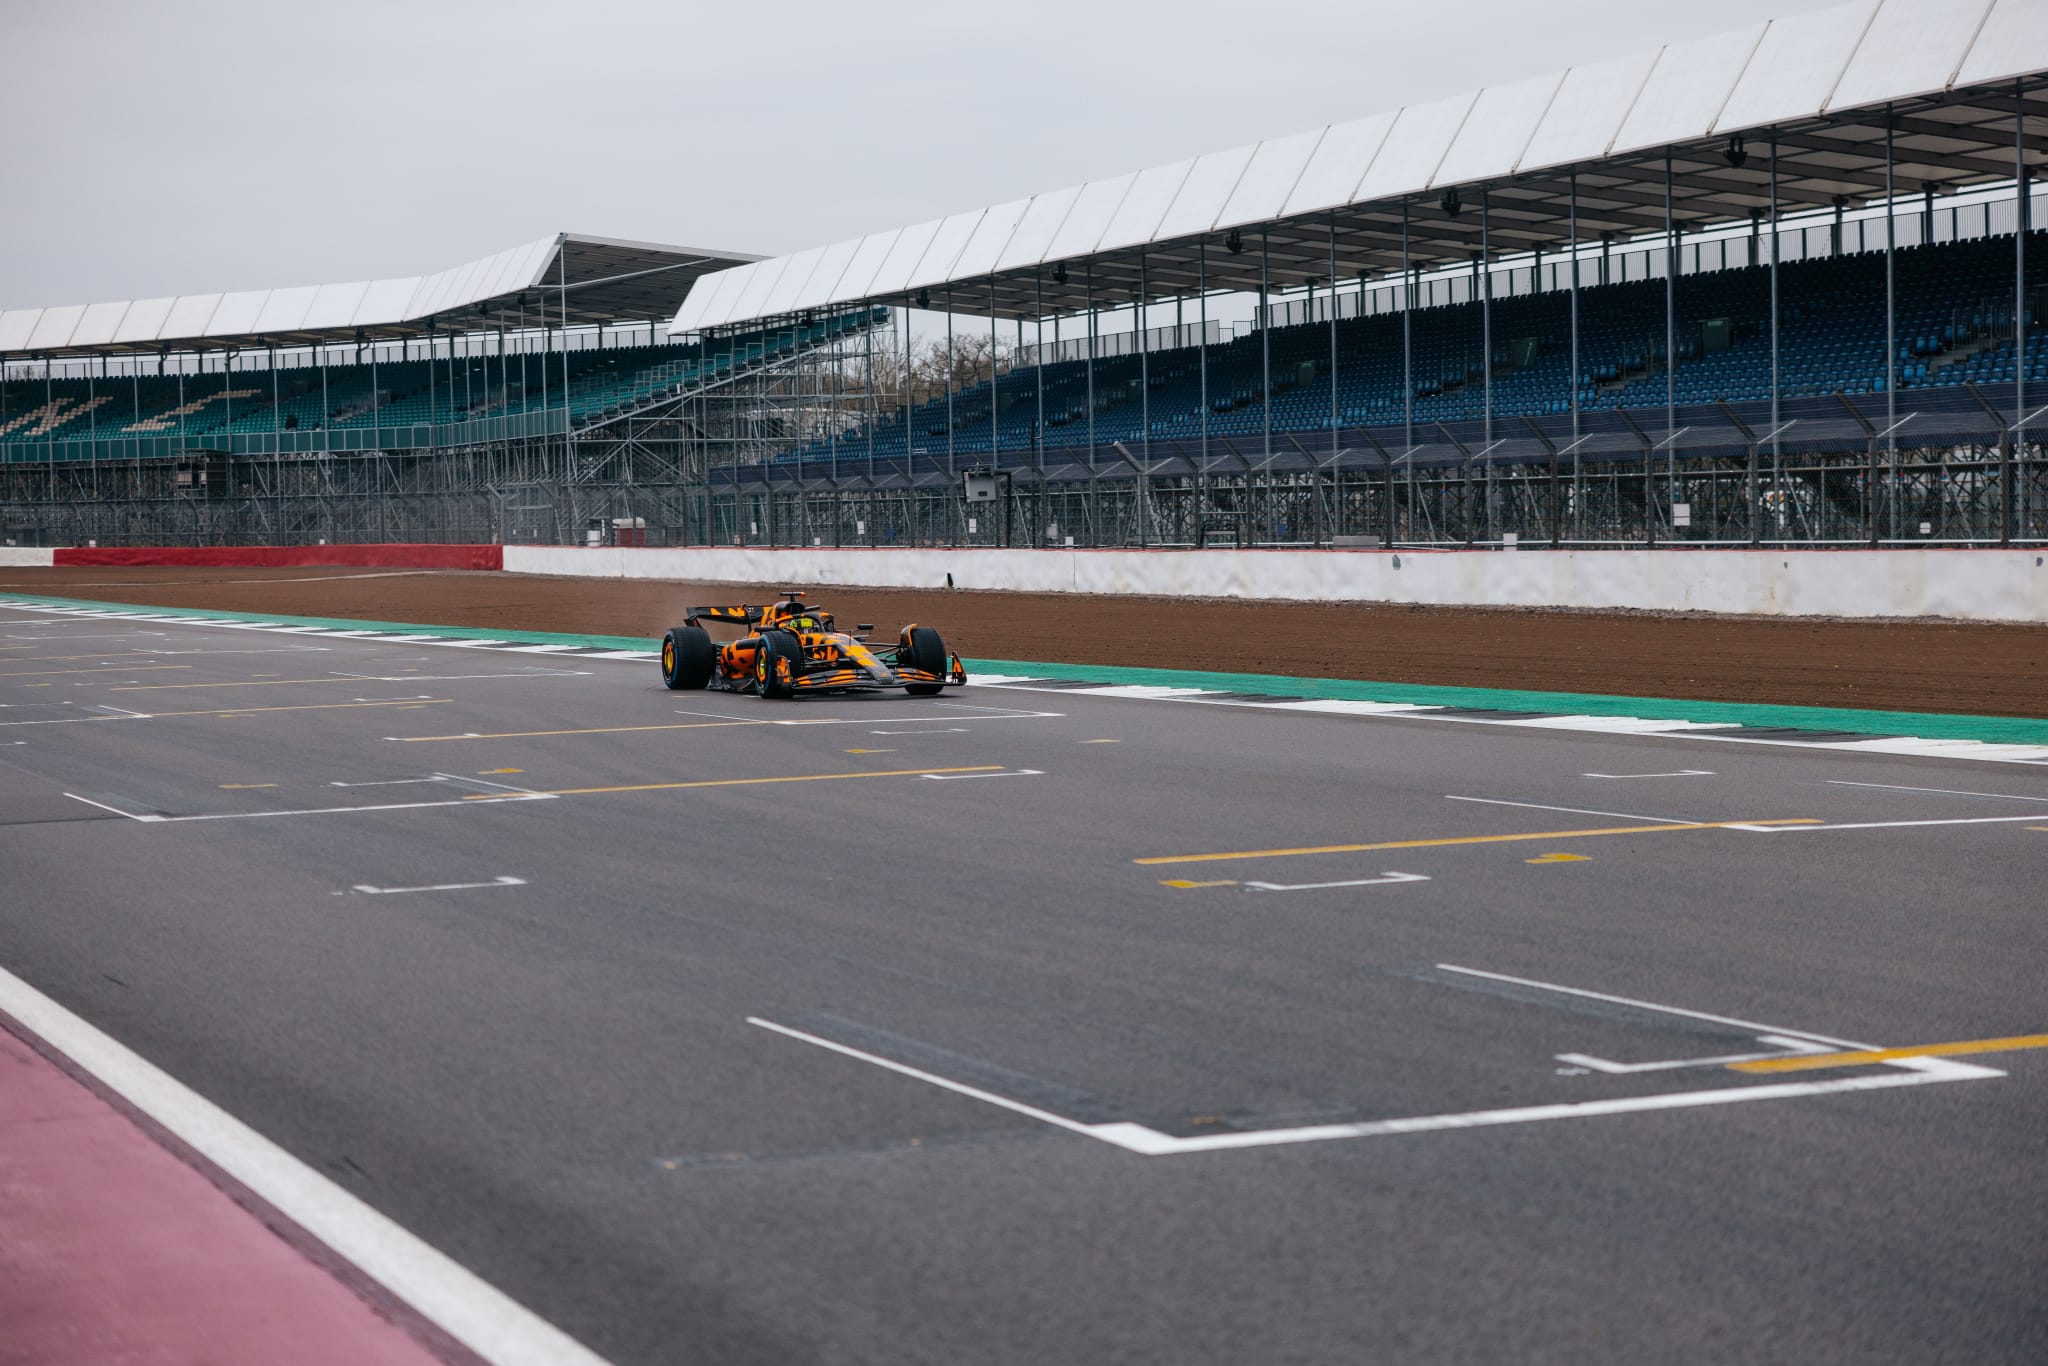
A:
[605,282]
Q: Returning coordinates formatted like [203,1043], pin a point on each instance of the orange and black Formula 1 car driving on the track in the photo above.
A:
[792,648]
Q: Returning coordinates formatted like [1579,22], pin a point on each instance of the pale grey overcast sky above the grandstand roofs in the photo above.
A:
[183,146]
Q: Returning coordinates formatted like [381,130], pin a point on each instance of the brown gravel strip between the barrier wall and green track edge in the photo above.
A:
[1887,667]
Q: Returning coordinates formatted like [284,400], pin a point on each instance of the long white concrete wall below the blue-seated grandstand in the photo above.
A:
[1908,583]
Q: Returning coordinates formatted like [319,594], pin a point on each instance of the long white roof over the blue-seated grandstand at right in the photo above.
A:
[1824,81]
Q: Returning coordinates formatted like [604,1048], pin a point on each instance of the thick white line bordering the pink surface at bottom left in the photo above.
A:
[456,1299]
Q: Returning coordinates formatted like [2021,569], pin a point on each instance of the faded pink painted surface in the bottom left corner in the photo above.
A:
[114,1252]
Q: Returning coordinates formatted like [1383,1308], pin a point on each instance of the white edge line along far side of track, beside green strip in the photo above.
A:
[1725,732]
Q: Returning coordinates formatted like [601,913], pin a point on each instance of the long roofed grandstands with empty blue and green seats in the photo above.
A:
[1777,286]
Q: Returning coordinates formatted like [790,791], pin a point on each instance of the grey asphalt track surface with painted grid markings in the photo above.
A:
[857,1031]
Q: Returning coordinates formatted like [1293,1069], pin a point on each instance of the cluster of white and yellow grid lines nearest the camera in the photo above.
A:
[1781,1052]
